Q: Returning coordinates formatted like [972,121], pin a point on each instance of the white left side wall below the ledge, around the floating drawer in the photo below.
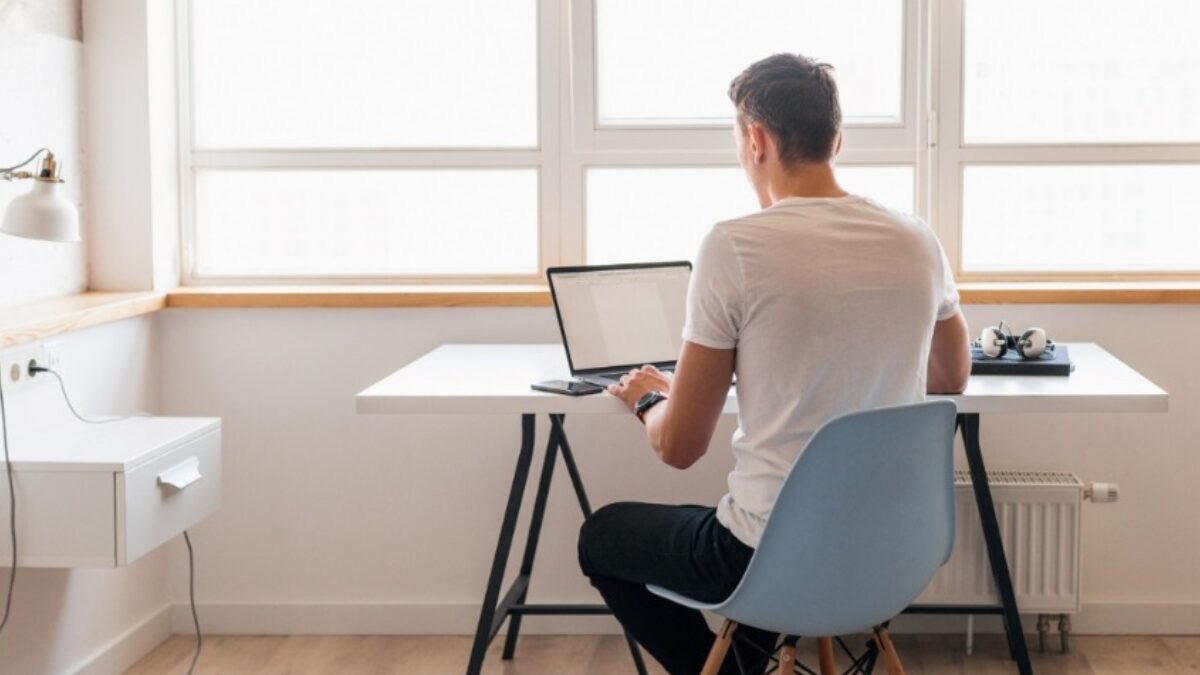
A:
[100,619]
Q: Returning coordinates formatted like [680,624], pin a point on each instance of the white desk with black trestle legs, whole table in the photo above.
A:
[495,380]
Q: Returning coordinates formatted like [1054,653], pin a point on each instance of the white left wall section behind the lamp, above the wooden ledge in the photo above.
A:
[41,106]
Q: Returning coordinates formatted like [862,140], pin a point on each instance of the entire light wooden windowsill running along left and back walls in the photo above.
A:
[41,320]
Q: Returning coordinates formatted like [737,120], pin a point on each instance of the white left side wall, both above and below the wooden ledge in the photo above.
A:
[64,620]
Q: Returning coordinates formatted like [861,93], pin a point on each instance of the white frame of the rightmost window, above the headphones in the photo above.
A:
[953,156]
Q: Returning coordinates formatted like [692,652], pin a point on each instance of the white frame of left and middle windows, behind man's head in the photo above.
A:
[569,144]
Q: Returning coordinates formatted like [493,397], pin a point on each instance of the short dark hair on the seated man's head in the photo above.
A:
[796,100]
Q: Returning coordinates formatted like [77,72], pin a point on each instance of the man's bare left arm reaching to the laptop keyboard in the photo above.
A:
[681,428]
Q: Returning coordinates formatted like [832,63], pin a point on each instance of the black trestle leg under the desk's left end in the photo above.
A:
[514,607]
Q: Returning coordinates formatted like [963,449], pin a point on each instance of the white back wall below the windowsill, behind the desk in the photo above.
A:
[340,523]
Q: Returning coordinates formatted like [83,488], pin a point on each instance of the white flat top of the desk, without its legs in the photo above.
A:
[495,380]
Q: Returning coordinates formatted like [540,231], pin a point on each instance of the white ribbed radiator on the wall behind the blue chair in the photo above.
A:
[1040,517]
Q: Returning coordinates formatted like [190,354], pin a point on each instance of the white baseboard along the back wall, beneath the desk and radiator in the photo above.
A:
[459,619]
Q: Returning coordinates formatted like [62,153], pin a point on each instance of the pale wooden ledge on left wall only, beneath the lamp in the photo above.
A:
[45,319]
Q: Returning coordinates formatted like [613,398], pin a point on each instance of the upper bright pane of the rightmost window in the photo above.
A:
[1082,71]
